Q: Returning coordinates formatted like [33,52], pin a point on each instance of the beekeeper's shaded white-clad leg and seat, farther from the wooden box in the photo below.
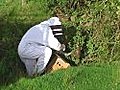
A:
[29,56]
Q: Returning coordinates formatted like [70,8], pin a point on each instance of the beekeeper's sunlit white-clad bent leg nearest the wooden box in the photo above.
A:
[43,60]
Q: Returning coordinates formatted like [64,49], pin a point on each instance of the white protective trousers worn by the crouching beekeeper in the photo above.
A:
[35,59]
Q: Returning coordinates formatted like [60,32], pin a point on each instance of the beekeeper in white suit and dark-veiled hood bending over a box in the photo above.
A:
[35,47]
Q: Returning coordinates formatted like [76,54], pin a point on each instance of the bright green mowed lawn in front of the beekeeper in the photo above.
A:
[92,77]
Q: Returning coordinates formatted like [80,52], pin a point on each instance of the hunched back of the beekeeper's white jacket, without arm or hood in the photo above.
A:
[36,35]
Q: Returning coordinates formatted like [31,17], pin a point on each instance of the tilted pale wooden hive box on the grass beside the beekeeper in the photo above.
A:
[57,63]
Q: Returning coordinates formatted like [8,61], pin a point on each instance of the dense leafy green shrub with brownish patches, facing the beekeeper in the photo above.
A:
[96,26]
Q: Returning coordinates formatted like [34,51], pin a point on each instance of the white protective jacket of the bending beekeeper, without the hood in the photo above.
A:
[38,35]
